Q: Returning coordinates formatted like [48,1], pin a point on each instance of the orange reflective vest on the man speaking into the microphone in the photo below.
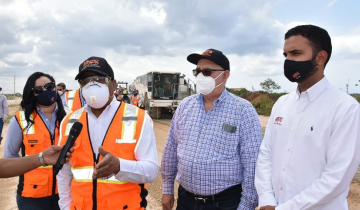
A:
[105,193]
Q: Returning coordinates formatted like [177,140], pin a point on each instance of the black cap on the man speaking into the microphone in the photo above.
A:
[95,64]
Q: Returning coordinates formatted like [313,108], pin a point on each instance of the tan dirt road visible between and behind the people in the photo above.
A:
[161,128]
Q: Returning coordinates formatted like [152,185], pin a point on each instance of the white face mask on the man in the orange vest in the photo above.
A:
[95,94]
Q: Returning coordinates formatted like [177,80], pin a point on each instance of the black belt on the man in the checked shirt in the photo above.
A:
[219,197]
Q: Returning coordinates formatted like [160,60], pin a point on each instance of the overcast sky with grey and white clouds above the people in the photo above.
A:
[140,36]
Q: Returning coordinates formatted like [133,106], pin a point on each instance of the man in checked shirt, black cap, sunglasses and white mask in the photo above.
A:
[213,143]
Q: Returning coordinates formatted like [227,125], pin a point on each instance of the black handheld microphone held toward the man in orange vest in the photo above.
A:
[74,133]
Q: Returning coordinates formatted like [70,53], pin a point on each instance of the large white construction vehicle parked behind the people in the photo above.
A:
[162,91]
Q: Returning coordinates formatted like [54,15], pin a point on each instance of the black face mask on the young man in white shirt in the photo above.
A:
[296,71]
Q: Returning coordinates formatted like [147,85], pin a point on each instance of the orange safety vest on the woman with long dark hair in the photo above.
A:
[40,182]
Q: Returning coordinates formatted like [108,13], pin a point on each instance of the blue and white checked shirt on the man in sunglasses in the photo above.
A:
[204,157]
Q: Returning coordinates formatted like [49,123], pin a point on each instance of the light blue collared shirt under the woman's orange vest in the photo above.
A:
[13,142]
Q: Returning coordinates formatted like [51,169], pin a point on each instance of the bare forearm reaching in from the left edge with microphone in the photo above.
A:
[10,167]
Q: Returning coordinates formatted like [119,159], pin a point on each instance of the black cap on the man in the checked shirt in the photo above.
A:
[213,55]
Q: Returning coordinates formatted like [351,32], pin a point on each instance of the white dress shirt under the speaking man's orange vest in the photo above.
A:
[143,170]
